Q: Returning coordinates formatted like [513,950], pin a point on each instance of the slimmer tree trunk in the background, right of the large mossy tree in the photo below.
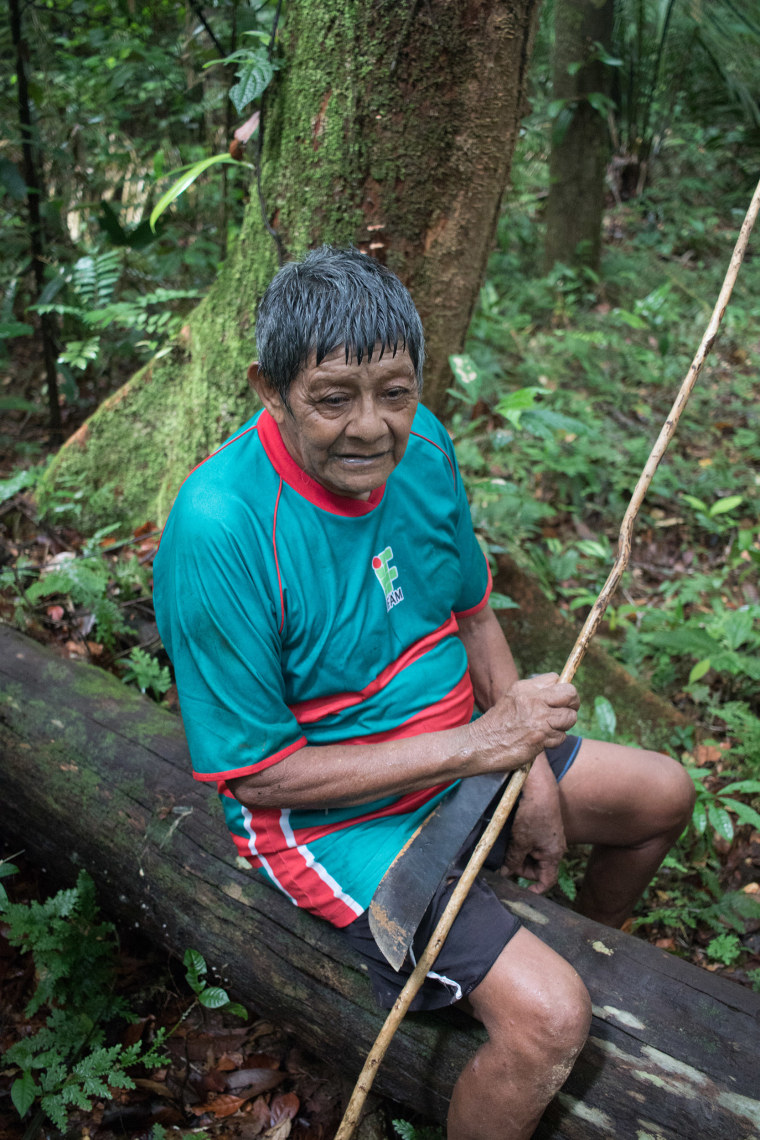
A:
[581,140]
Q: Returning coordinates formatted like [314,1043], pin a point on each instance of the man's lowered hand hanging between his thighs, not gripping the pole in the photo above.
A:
[538,836]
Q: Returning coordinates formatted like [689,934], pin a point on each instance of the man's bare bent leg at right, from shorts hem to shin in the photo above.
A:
[632,805]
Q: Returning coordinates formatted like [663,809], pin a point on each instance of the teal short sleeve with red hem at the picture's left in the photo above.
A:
[217,600]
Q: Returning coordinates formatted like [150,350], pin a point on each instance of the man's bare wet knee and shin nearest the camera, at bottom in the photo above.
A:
[537,1014]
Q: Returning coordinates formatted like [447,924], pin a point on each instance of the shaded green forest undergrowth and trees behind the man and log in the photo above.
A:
[581,338]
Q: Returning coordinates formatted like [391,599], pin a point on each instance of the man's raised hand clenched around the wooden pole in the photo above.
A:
[534,715]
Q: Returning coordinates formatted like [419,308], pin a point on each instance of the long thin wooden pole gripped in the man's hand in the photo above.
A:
[510,797]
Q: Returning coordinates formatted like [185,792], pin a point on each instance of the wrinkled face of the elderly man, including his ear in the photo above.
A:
[348,425]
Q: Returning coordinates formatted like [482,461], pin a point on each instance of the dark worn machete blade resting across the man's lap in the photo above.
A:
[407,887]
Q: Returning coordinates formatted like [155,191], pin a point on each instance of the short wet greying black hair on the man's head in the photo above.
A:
[332,299]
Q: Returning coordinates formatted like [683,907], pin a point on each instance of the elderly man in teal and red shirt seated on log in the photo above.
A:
[324,600]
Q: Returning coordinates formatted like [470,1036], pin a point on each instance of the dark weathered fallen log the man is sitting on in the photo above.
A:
[95,776]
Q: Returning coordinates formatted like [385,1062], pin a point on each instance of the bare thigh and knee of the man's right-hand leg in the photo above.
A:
[622,796]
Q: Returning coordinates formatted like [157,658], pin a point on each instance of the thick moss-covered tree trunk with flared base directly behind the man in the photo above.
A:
[391,126]
